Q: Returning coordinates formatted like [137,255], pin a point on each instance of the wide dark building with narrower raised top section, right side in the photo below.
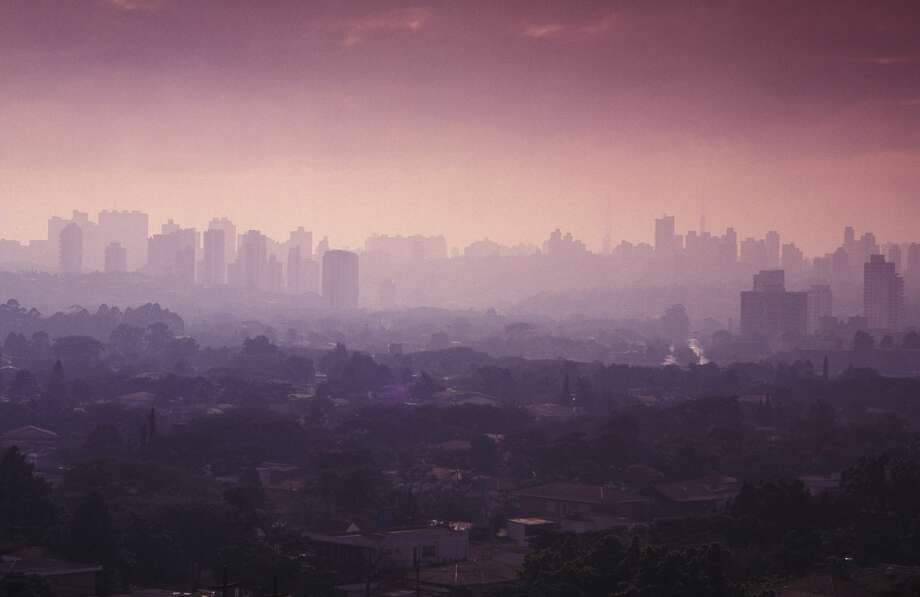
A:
[769,311]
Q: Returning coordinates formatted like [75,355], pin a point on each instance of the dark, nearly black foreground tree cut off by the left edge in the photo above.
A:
[26,510]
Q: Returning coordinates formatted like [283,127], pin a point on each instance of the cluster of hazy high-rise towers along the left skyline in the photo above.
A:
[120,242]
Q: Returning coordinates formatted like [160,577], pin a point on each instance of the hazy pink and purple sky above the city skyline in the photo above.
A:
[475,119]
